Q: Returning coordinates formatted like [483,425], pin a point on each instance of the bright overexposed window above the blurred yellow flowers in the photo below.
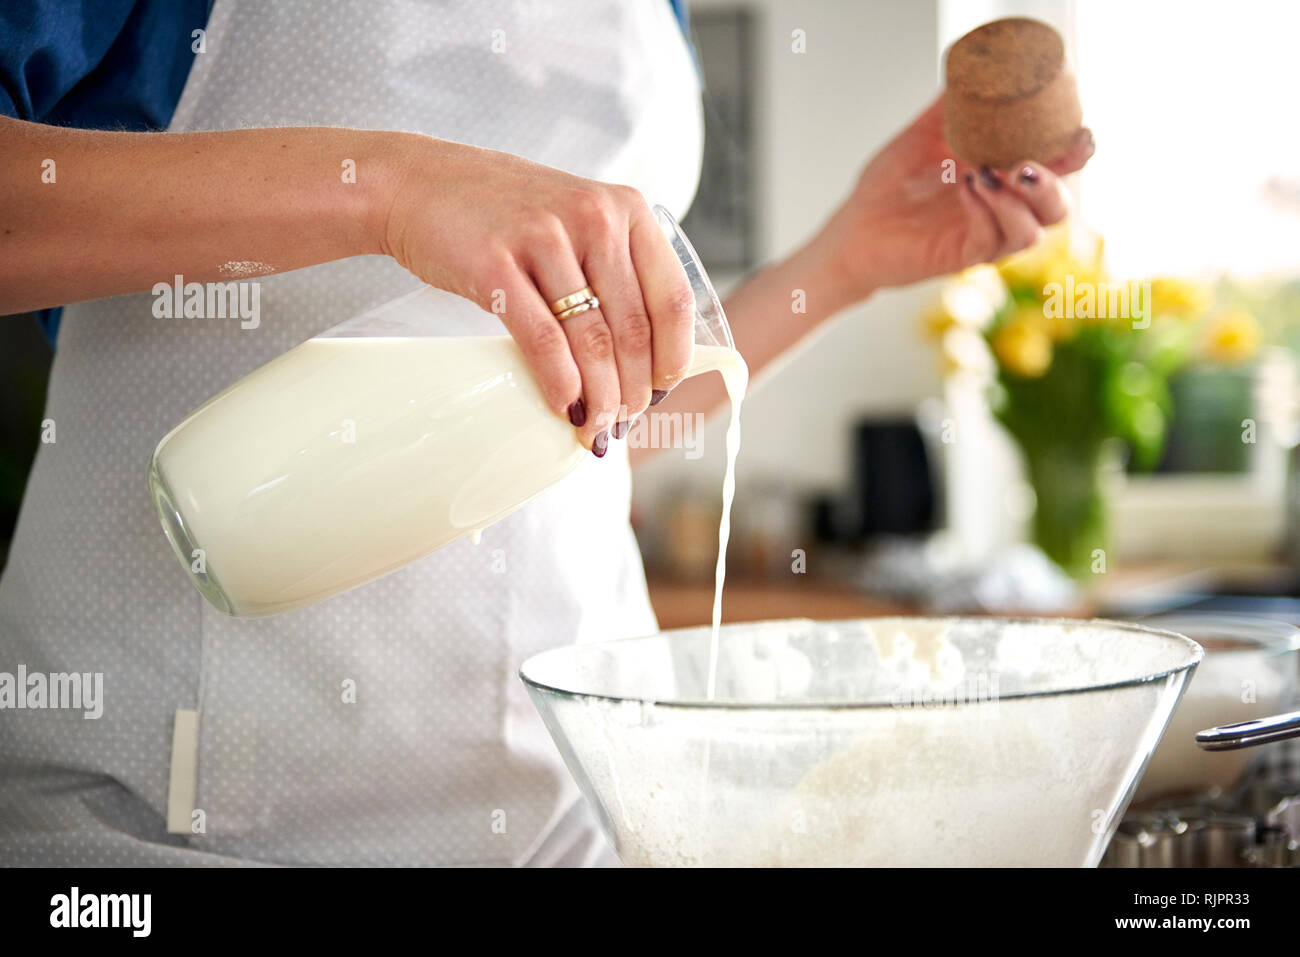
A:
[1198,168]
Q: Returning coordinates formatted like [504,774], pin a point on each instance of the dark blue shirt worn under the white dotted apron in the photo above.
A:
[105,66]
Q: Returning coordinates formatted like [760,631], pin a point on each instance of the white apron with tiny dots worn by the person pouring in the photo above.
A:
[441,760]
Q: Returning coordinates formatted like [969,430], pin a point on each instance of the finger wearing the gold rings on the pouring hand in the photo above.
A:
[556,270]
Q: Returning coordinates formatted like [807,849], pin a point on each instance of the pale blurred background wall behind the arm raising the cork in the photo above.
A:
[818,116]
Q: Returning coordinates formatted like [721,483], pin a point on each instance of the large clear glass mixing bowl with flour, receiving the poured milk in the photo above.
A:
[873,742]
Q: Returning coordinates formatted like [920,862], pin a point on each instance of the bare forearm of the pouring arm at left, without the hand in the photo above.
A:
[120,211]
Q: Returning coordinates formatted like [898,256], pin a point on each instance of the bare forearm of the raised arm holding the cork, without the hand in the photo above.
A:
[770,315]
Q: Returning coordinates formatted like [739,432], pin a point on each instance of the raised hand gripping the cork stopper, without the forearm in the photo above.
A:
[908,222]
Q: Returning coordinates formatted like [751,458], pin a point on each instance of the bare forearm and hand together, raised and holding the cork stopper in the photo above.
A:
[904,222]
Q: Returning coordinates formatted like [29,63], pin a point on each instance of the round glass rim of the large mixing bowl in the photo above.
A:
[1194,649]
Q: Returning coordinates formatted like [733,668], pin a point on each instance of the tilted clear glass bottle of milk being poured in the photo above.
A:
[367,448]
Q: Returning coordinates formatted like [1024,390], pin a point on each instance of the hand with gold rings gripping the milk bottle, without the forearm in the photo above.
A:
[514,236]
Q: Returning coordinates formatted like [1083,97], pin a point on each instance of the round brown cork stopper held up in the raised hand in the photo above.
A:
[1011,94]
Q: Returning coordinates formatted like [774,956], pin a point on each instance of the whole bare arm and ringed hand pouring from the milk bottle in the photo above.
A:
[86,215]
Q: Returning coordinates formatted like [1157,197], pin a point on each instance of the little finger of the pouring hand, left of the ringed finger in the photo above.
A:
[545,348]
